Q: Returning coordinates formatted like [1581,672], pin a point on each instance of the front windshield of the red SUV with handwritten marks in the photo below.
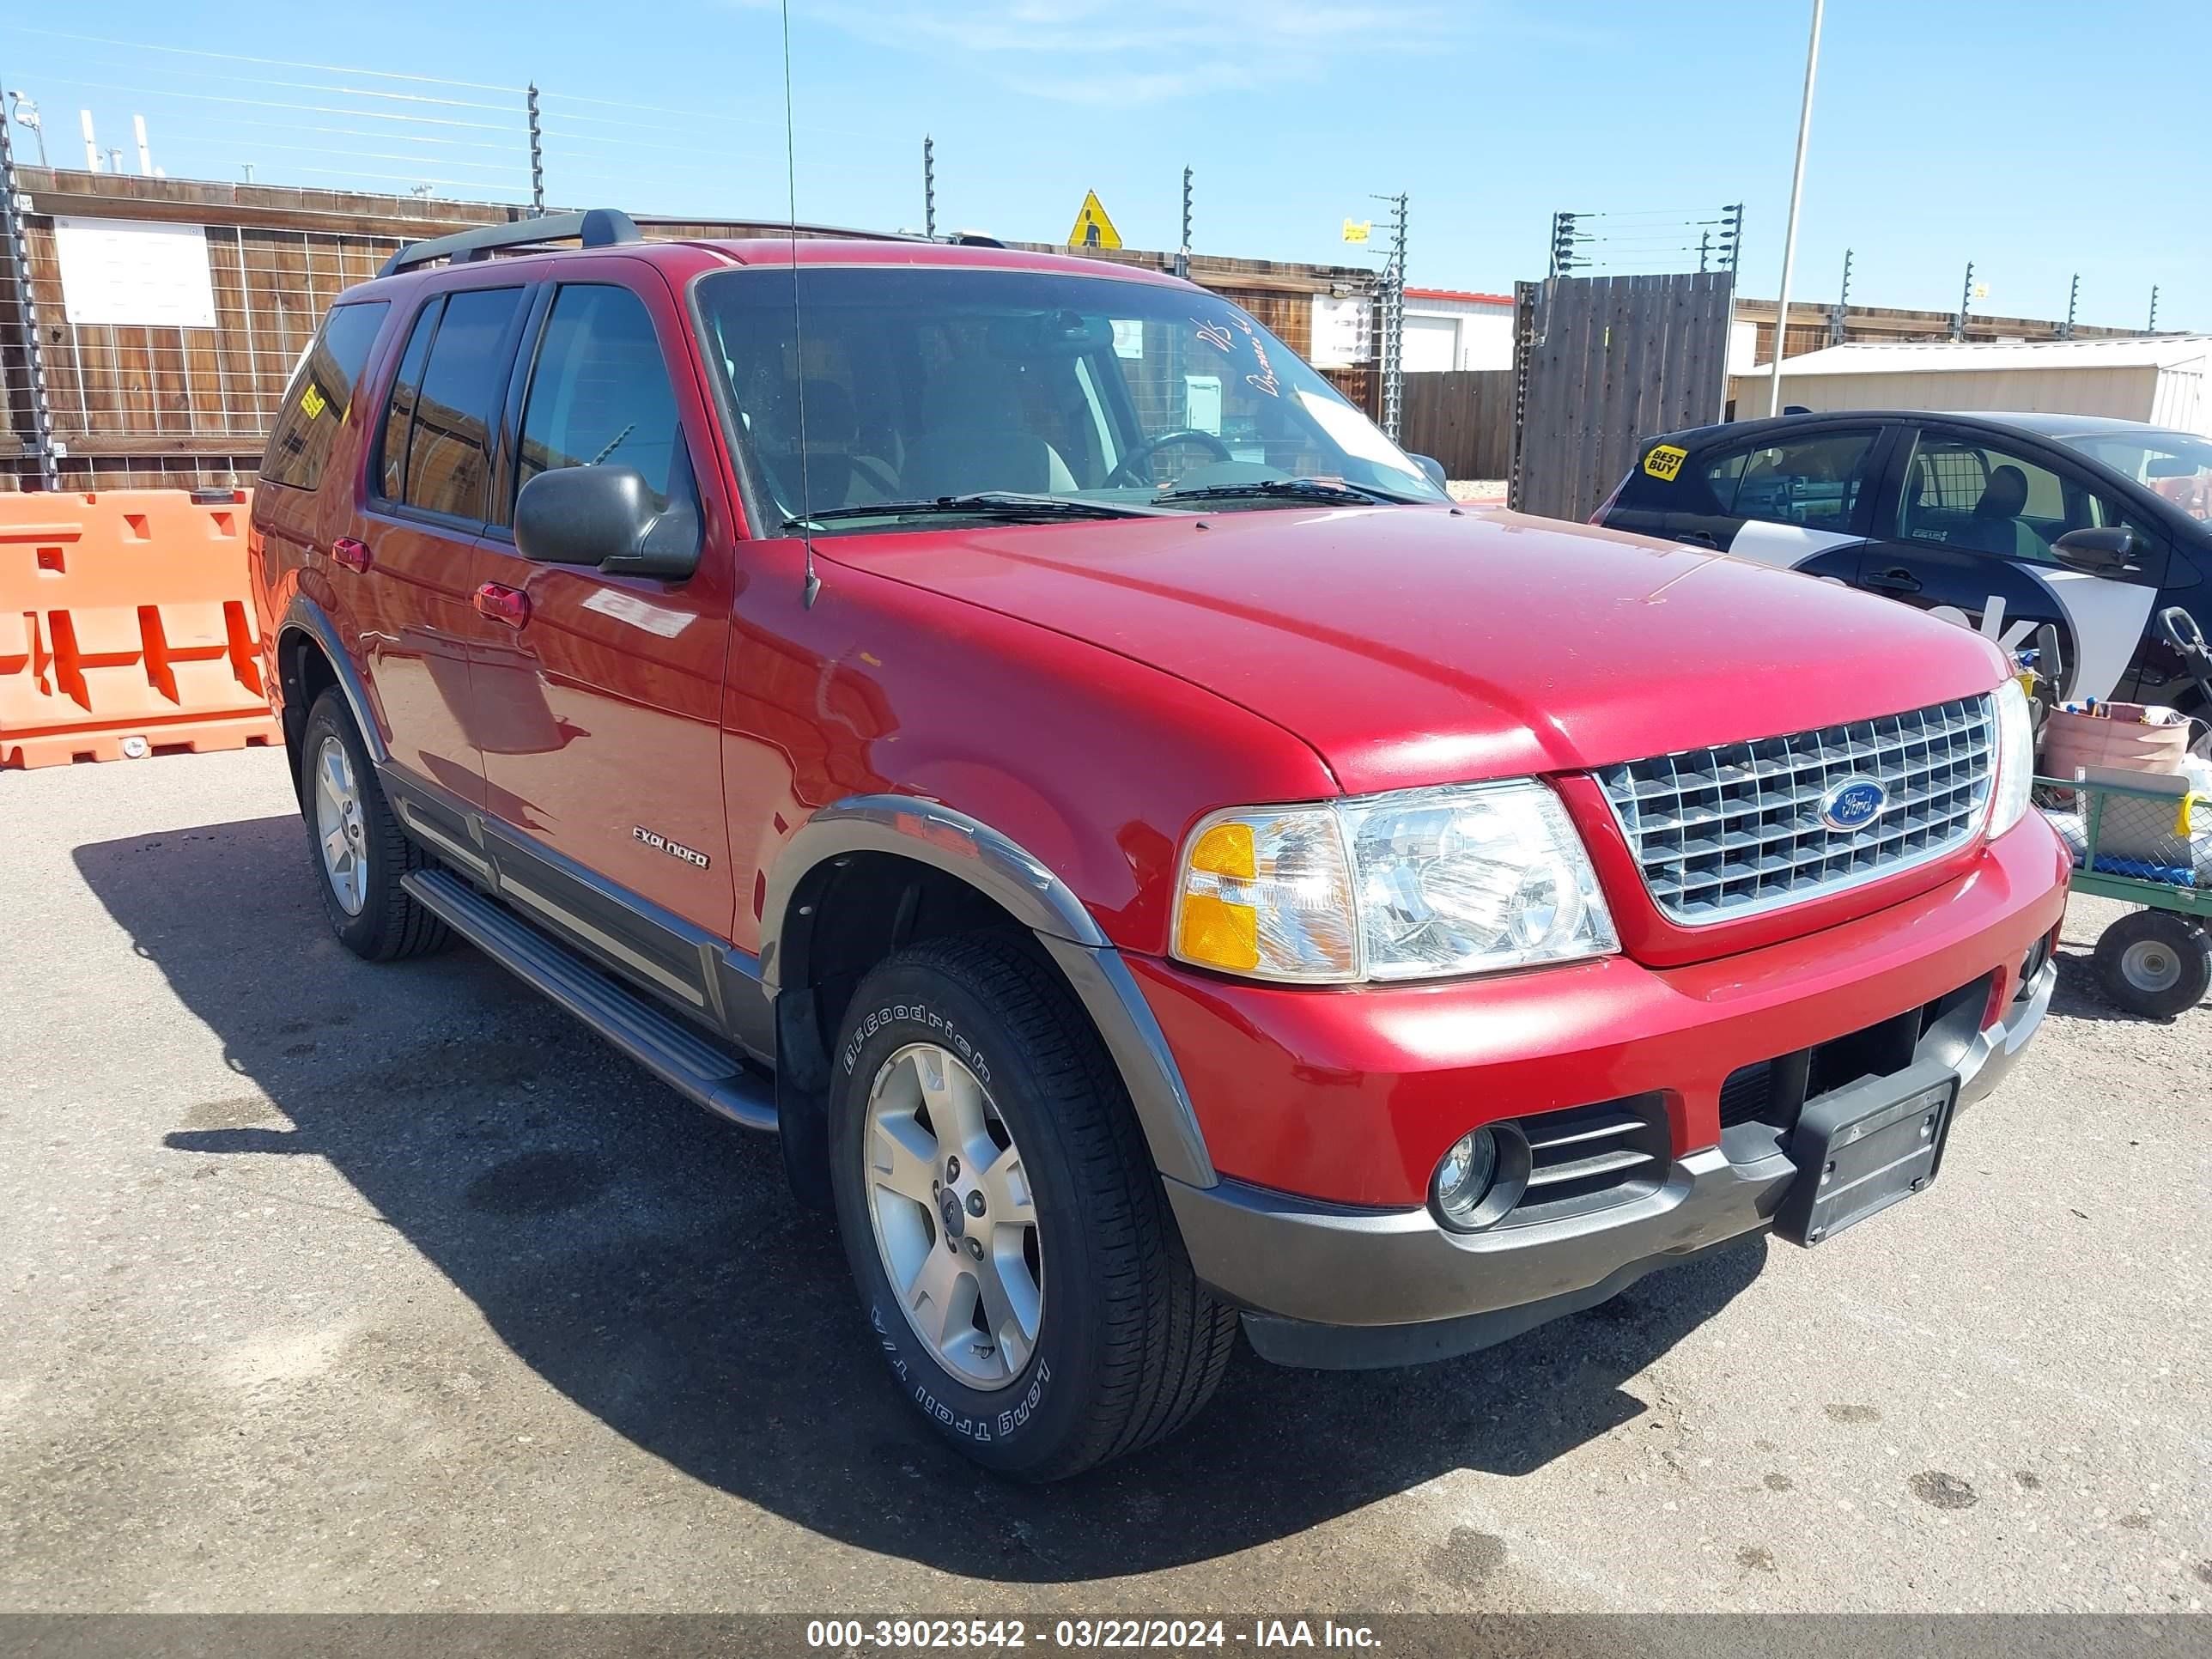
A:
[1008,384]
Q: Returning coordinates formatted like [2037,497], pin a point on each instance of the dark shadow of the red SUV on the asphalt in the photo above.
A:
[647,1260]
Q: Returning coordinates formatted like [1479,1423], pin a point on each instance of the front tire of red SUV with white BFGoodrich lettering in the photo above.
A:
[1127,1346]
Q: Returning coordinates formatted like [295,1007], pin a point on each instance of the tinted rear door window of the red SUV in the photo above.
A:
[437,446]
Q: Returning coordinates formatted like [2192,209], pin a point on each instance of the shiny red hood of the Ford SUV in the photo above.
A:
[1428,645]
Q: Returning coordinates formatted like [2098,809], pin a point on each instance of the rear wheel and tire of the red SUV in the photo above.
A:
[368,908]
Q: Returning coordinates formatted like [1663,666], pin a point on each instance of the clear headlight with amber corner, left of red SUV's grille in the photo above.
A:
[1408,886]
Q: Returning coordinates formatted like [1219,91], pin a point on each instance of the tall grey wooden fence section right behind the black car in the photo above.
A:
[1609,362]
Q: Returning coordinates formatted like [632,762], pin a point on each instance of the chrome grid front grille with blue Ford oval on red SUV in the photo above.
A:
[1735,831]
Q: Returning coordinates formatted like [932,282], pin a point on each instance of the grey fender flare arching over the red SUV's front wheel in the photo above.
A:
[1041,901]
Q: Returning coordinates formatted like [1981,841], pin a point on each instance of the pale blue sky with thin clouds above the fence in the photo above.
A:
[2034,138]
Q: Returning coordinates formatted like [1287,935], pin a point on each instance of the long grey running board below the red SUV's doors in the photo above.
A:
[656,1041]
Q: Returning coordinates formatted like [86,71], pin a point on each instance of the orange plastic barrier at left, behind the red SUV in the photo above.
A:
[125,627]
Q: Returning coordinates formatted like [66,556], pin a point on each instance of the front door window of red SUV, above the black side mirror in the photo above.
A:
[601,393]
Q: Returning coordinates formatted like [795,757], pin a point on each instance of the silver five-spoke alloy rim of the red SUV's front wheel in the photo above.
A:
[954,1215]
